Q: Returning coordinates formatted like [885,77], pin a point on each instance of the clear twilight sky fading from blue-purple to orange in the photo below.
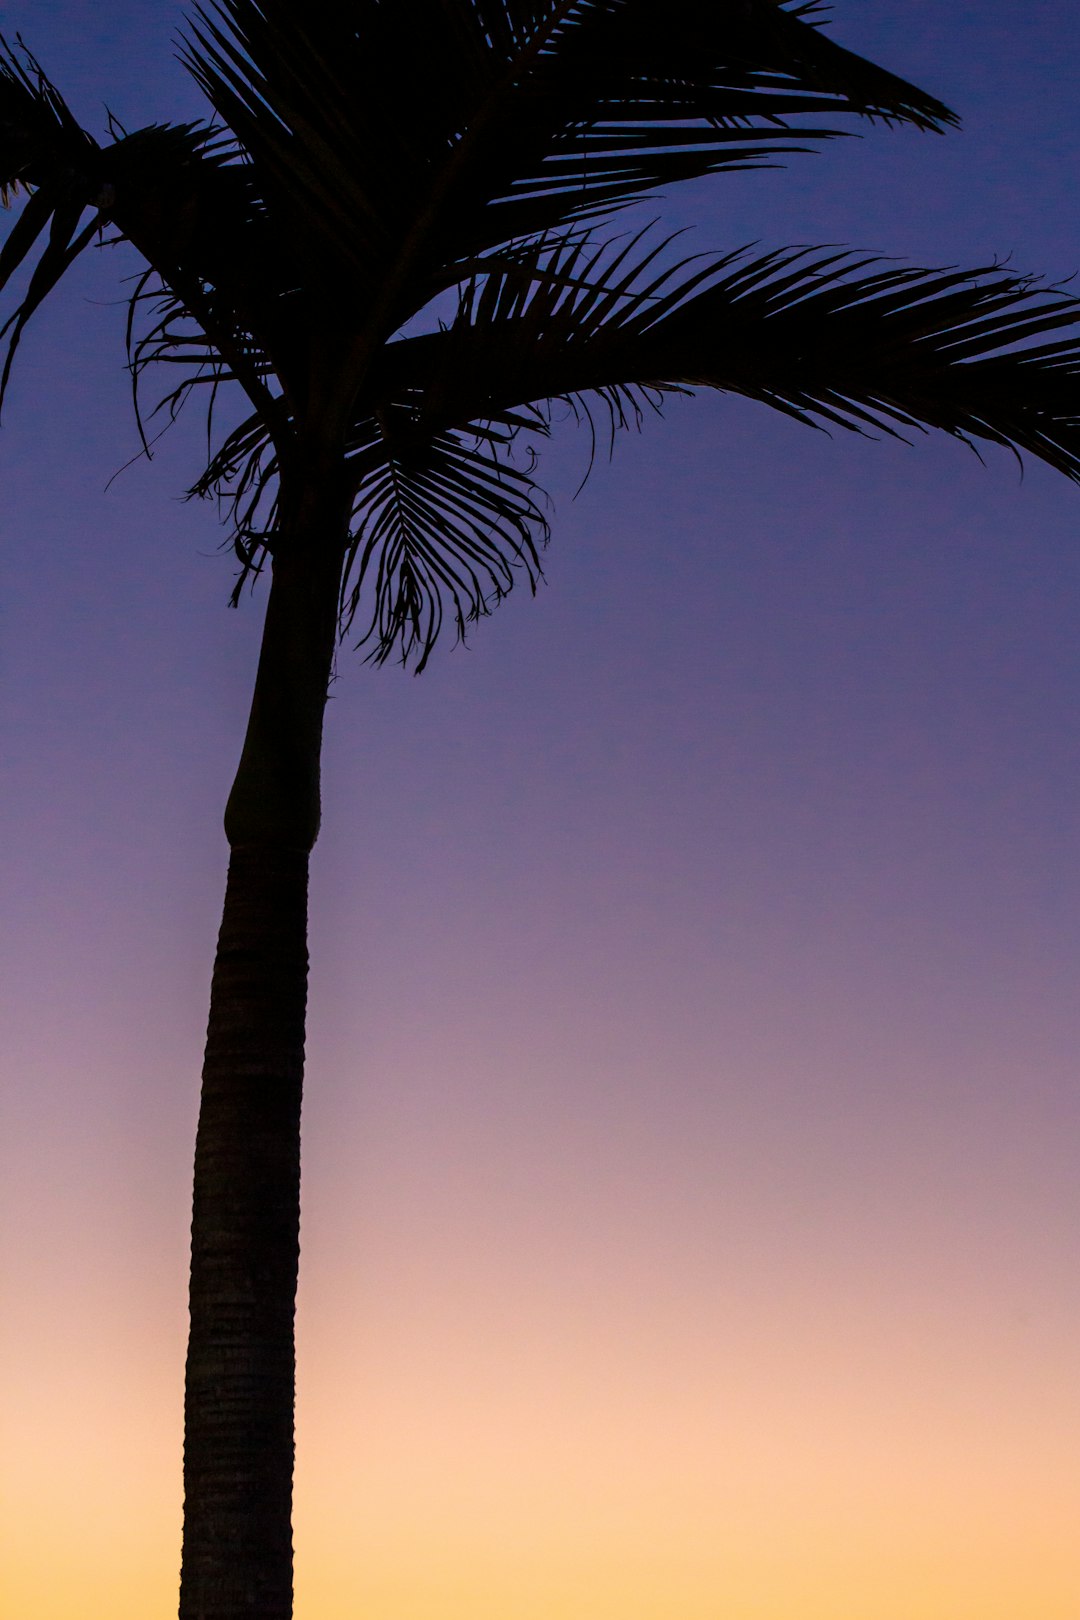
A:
[691,1196]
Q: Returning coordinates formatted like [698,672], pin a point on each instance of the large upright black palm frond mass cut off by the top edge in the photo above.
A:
[402,140]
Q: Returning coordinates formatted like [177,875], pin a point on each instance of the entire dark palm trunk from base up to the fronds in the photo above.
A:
[245,1226]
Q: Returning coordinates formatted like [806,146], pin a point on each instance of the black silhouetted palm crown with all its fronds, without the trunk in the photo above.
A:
[376,163]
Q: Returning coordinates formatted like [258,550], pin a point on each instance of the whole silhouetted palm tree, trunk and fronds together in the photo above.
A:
[393,241]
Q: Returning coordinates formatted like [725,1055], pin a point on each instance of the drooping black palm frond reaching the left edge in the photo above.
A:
[177,194]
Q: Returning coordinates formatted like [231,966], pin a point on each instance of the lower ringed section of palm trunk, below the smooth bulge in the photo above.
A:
[245,1251]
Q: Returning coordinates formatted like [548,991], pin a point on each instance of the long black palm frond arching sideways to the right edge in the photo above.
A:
[827,338]
